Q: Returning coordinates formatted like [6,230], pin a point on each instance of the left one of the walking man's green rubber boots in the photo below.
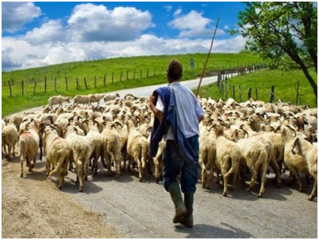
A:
[180,209]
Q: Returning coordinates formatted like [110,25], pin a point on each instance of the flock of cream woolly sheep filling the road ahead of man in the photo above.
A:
[238,141]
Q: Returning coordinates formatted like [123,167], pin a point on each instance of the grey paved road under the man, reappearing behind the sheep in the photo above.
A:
[144,210]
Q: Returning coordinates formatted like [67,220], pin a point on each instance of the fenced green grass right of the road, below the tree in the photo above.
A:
[285,87]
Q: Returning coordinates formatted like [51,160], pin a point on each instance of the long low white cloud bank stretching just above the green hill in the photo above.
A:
[22,54]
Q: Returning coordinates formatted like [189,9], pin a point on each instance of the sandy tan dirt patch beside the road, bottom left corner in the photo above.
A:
[33,207]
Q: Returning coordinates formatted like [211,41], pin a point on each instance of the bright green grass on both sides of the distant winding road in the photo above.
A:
[32,87]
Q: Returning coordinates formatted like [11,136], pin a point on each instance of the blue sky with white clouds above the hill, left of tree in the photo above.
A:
[38,34]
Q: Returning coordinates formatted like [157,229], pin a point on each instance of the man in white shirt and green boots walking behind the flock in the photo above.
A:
[177,116]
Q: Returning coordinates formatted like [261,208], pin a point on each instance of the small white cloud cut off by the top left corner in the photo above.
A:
[16,14]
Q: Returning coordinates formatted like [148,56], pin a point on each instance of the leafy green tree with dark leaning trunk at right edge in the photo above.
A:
[285,32]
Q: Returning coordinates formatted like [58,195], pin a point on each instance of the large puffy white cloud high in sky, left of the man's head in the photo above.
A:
[96,23]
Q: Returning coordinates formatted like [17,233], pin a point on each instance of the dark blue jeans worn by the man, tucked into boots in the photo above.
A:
[174,164]
